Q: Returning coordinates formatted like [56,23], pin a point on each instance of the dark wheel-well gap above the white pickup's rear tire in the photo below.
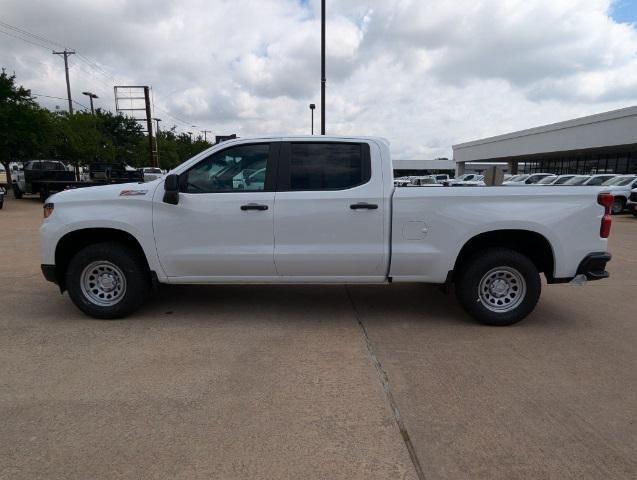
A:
[533,245]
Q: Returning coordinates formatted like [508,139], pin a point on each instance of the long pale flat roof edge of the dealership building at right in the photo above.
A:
[617,127]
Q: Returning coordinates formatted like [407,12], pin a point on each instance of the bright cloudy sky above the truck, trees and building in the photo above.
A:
[425,74]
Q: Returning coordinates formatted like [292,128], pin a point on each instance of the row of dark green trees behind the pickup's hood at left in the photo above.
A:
[29,131]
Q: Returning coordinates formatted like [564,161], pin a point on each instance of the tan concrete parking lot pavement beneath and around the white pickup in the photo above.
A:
[283,382]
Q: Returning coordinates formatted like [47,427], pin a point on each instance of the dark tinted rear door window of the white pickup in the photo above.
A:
[327,166]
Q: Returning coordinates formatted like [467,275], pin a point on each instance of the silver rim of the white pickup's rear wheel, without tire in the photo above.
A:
[502,289]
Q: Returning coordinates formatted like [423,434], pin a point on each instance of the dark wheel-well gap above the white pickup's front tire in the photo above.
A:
[73,242]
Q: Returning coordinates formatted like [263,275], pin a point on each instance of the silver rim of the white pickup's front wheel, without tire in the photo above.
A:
[103,283]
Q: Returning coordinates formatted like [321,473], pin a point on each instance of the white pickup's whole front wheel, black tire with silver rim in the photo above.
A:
[107,280]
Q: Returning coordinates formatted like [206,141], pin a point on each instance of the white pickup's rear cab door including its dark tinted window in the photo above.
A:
[329,218]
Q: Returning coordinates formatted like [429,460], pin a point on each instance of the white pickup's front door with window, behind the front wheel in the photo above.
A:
[222,227]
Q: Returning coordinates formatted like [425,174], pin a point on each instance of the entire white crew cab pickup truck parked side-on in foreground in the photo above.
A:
[319,210]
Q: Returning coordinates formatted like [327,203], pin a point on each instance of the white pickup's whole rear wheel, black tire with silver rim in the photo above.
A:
[522,289]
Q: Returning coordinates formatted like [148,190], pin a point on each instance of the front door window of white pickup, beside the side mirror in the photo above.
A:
[240,168]
